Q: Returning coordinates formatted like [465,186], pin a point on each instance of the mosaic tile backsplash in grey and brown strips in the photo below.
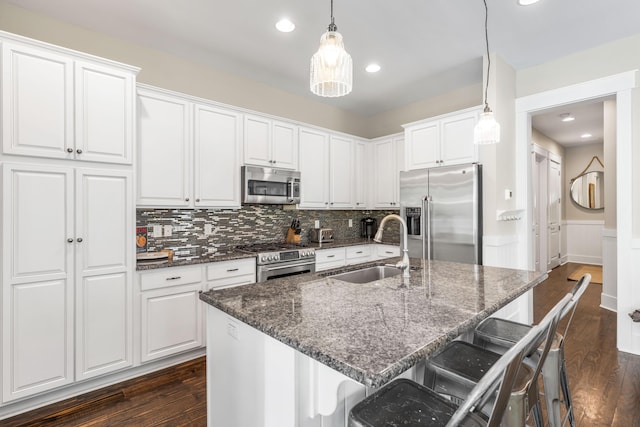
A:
[248,225]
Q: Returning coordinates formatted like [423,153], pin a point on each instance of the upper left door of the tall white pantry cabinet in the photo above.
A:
[37,102]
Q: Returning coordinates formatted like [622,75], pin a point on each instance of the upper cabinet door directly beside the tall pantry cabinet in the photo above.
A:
[163,150]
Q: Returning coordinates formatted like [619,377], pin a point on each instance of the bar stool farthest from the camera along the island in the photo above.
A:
[500,334]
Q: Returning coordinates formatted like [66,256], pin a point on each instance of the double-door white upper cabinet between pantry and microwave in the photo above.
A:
[188,152]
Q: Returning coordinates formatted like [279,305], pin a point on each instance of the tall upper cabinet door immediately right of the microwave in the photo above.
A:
[314,169]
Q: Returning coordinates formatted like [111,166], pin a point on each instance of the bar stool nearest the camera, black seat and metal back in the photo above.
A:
[407,403]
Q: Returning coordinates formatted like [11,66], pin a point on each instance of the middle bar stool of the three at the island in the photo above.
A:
[460,365]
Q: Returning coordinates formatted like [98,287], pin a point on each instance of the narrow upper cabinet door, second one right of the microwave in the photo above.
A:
[341,176]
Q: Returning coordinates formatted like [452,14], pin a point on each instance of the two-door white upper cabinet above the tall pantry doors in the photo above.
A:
[64,105]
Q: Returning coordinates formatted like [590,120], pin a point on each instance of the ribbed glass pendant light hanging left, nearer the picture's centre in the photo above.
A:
[331,66]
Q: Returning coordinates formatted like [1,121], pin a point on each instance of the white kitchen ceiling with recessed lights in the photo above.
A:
[425,47]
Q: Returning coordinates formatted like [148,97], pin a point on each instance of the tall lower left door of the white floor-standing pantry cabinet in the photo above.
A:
[37,279]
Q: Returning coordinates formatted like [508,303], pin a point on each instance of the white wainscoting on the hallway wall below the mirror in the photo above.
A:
[584,241]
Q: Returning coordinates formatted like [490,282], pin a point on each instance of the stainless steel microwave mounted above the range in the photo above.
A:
[270,186]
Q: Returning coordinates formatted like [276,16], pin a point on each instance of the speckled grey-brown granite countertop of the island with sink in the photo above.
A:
[374,331]
